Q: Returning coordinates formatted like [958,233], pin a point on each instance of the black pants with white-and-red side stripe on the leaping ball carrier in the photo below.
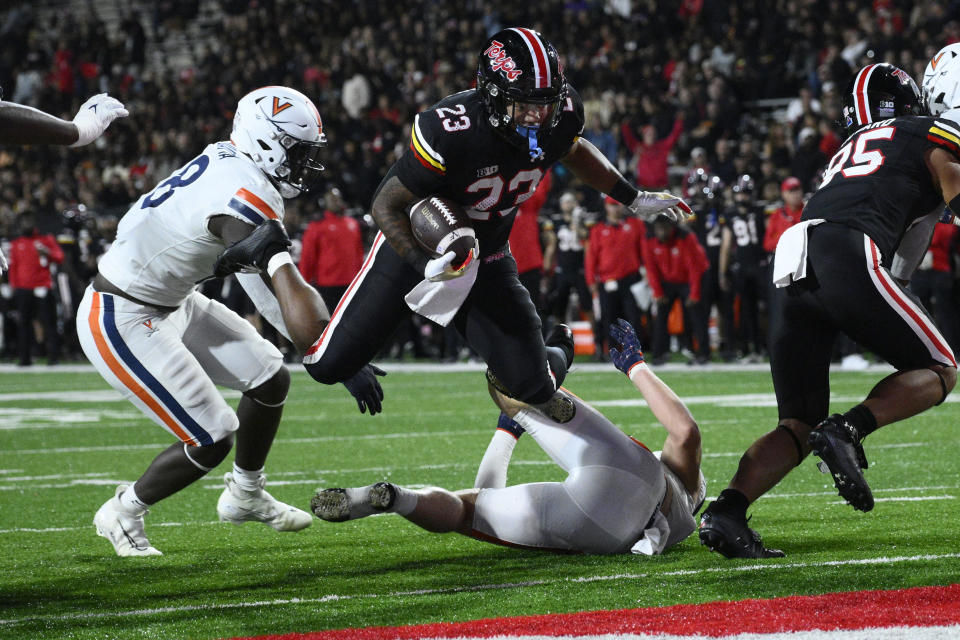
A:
[497,319]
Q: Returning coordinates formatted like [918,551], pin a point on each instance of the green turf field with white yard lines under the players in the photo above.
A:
[67,443]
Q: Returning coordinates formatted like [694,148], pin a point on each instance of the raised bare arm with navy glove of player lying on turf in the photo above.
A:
[681,450]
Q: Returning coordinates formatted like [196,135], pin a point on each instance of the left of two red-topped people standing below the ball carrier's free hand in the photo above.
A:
[612,265]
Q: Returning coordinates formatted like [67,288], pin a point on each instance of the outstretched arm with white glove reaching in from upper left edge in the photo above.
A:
[20,124]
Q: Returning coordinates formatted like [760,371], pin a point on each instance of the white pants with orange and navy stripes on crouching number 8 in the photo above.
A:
[169,363]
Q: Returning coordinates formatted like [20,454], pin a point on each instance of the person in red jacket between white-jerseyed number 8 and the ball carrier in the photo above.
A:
[332,250]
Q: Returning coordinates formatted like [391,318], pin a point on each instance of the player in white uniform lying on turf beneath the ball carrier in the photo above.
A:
[618,496]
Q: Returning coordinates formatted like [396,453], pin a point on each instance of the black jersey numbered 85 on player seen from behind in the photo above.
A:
[879,183]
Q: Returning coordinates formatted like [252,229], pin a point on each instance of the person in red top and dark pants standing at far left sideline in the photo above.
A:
[31,254]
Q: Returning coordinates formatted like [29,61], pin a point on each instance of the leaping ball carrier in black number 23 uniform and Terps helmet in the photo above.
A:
[486,149]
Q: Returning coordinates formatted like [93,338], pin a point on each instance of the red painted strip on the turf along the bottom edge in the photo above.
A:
[921,606]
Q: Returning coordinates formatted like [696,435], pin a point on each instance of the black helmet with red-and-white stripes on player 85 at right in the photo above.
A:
[879,92]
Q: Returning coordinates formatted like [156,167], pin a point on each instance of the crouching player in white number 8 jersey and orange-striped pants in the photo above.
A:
[166,347]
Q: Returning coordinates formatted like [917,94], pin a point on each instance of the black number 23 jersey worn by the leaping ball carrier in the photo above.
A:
[454,153]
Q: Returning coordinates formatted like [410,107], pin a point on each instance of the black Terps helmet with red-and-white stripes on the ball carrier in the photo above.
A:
[519,66]
